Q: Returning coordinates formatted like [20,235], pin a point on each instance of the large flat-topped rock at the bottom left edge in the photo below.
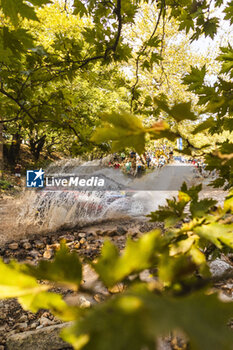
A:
[39,339]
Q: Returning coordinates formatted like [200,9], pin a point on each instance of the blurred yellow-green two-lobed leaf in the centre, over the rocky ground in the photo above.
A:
[137,256]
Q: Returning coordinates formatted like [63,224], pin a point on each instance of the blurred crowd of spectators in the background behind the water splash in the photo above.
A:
[136,165]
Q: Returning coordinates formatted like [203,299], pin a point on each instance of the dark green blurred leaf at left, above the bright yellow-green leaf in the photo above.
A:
[66,268]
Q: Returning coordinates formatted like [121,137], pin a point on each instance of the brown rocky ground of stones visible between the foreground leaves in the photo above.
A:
[20,329]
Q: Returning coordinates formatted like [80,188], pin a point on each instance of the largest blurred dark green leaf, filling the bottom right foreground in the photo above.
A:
[140,317]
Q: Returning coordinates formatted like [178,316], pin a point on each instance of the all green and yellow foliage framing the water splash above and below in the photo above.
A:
[39,87]
